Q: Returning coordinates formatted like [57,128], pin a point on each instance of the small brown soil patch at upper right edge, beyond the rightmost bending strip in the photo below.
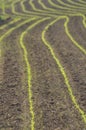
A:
[78,32]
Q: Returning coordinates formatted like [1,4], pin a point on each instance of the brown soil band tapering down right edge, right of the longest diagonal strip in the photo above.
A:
[71,58]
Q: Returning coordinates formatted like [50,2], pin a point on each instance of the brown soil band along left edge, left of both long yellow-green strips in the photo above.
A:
[14,107]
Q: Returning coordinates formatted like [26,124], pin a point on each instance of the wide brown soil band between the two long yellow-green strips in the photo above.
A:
[52,105]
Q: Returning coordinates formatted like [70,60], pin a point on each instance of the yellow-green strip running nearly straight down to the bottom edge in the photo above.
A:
[29,70]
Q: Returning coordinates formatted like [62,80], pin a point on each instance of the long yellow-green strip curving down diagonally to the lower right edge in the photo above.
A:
[66,80]
